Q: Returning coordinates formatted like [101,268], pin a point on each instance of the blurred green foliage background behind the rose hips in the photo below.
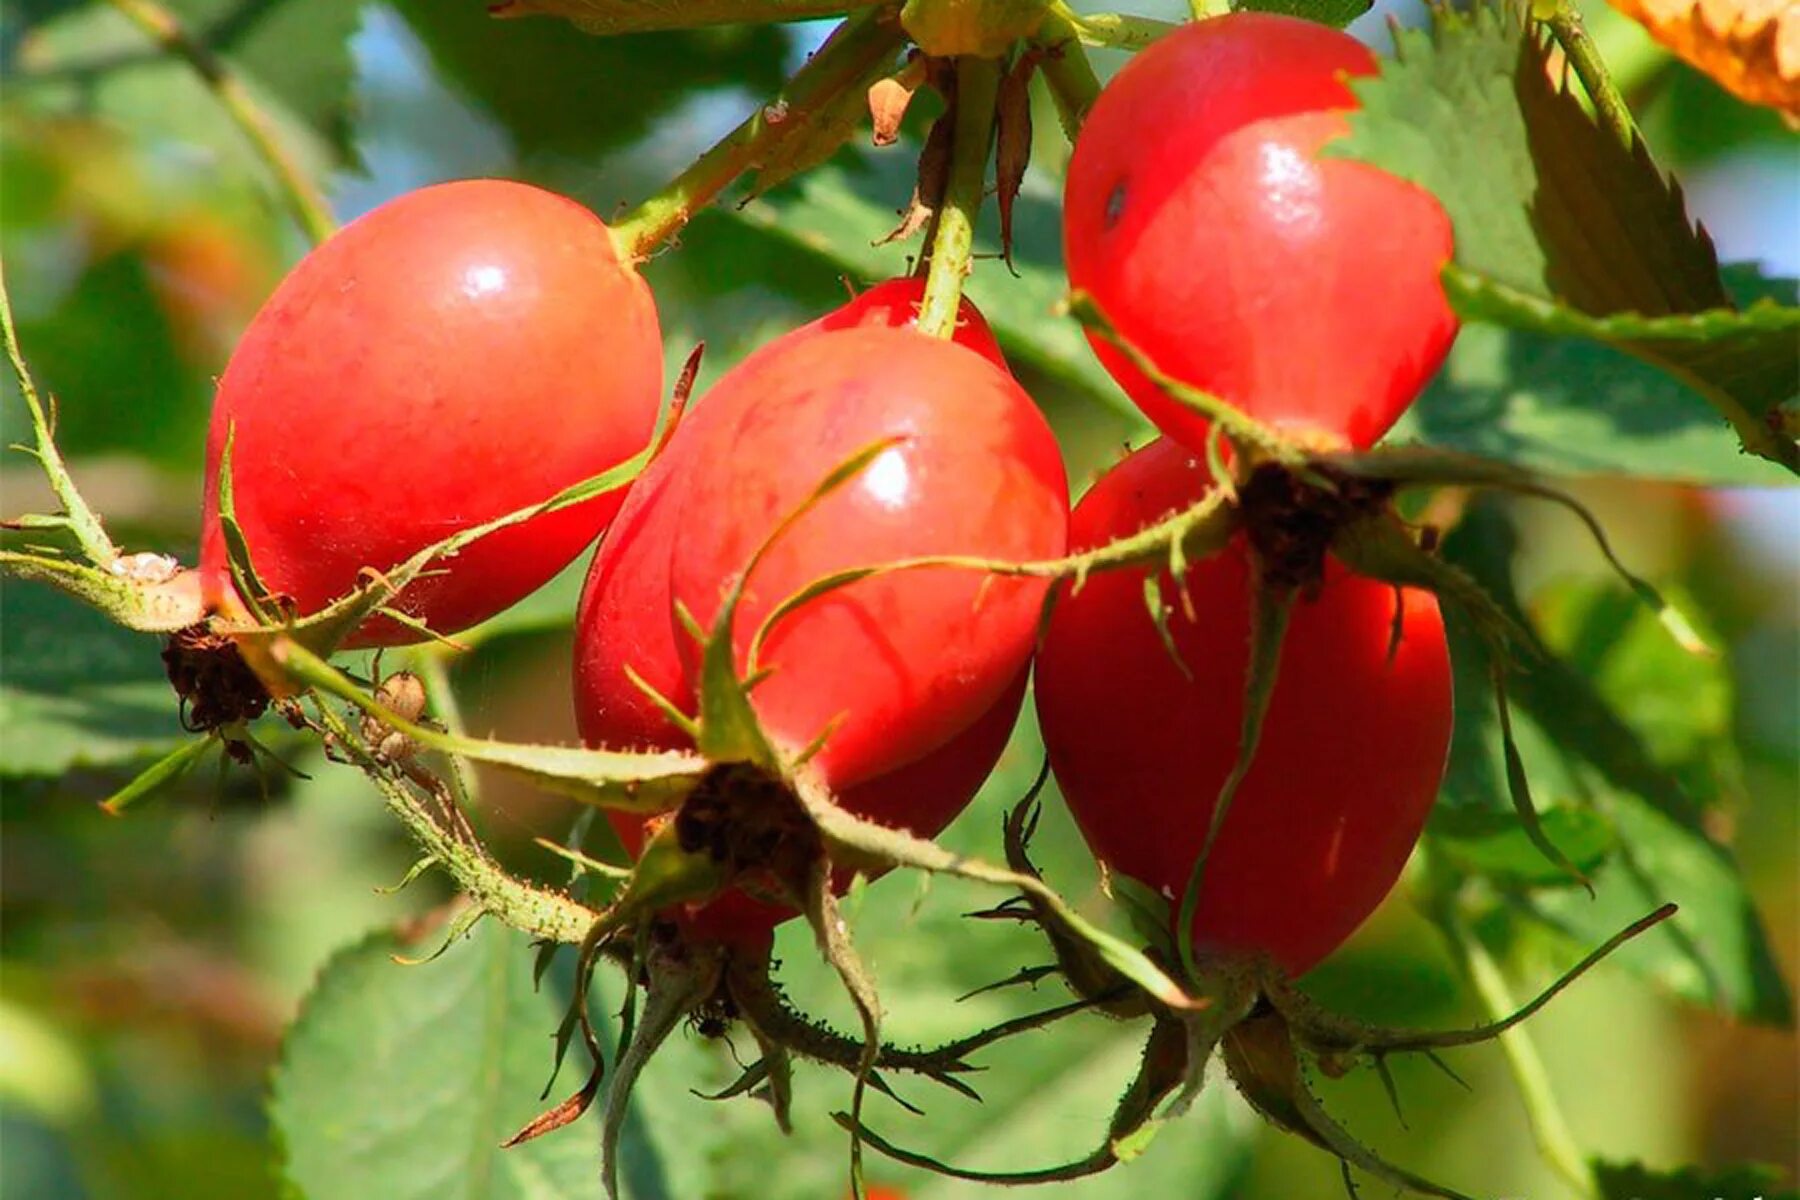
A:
[152,963]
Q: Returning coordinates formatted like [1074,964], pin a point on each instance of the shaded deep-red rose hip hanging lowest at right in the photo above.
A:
[1353,749]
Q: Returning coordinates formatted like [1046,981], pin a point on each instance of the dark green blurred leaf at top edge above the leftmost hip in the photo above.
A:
[535,76]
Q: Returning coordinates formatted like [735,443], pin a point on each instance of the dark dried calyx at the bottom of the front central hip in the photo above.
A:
[750,821]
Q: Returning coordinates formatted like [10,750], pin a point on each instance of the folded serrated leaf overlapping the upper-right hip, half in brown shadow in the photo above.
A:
[1556,213]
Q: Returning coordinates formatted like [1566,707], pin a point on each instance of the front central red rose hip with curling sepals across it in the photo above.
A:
[899,663]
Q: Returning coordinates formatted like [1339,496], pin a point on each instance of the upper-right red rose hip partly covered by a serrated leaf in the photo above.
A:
[1203,222]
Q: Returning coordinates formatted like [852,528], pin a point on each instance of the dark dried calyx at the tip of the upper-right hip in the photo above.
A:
[1291,523]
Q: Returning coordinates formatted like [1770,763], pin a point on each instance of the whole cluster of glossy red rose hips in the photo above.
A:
[474,348]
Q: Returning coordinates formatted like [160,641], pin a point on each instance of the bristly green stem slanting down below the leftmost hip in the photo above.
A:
[535,911]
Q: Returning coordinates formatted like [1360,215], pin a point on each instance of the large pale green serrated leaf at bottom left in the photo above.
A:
[402,1082]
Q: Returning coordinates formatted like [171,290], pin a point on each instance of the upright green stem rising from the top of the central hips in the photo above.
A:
[978,85]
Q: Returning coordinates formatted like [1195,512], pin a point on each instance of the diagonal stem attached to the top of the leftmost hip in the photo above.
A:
[845,58]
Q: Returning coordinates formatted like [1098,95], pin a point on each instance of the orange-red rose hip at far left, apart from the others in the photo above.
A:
[454,355]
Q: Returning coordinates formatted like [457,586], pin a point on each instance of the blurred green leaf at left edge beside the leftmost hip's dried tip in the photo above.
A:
[78,690]
